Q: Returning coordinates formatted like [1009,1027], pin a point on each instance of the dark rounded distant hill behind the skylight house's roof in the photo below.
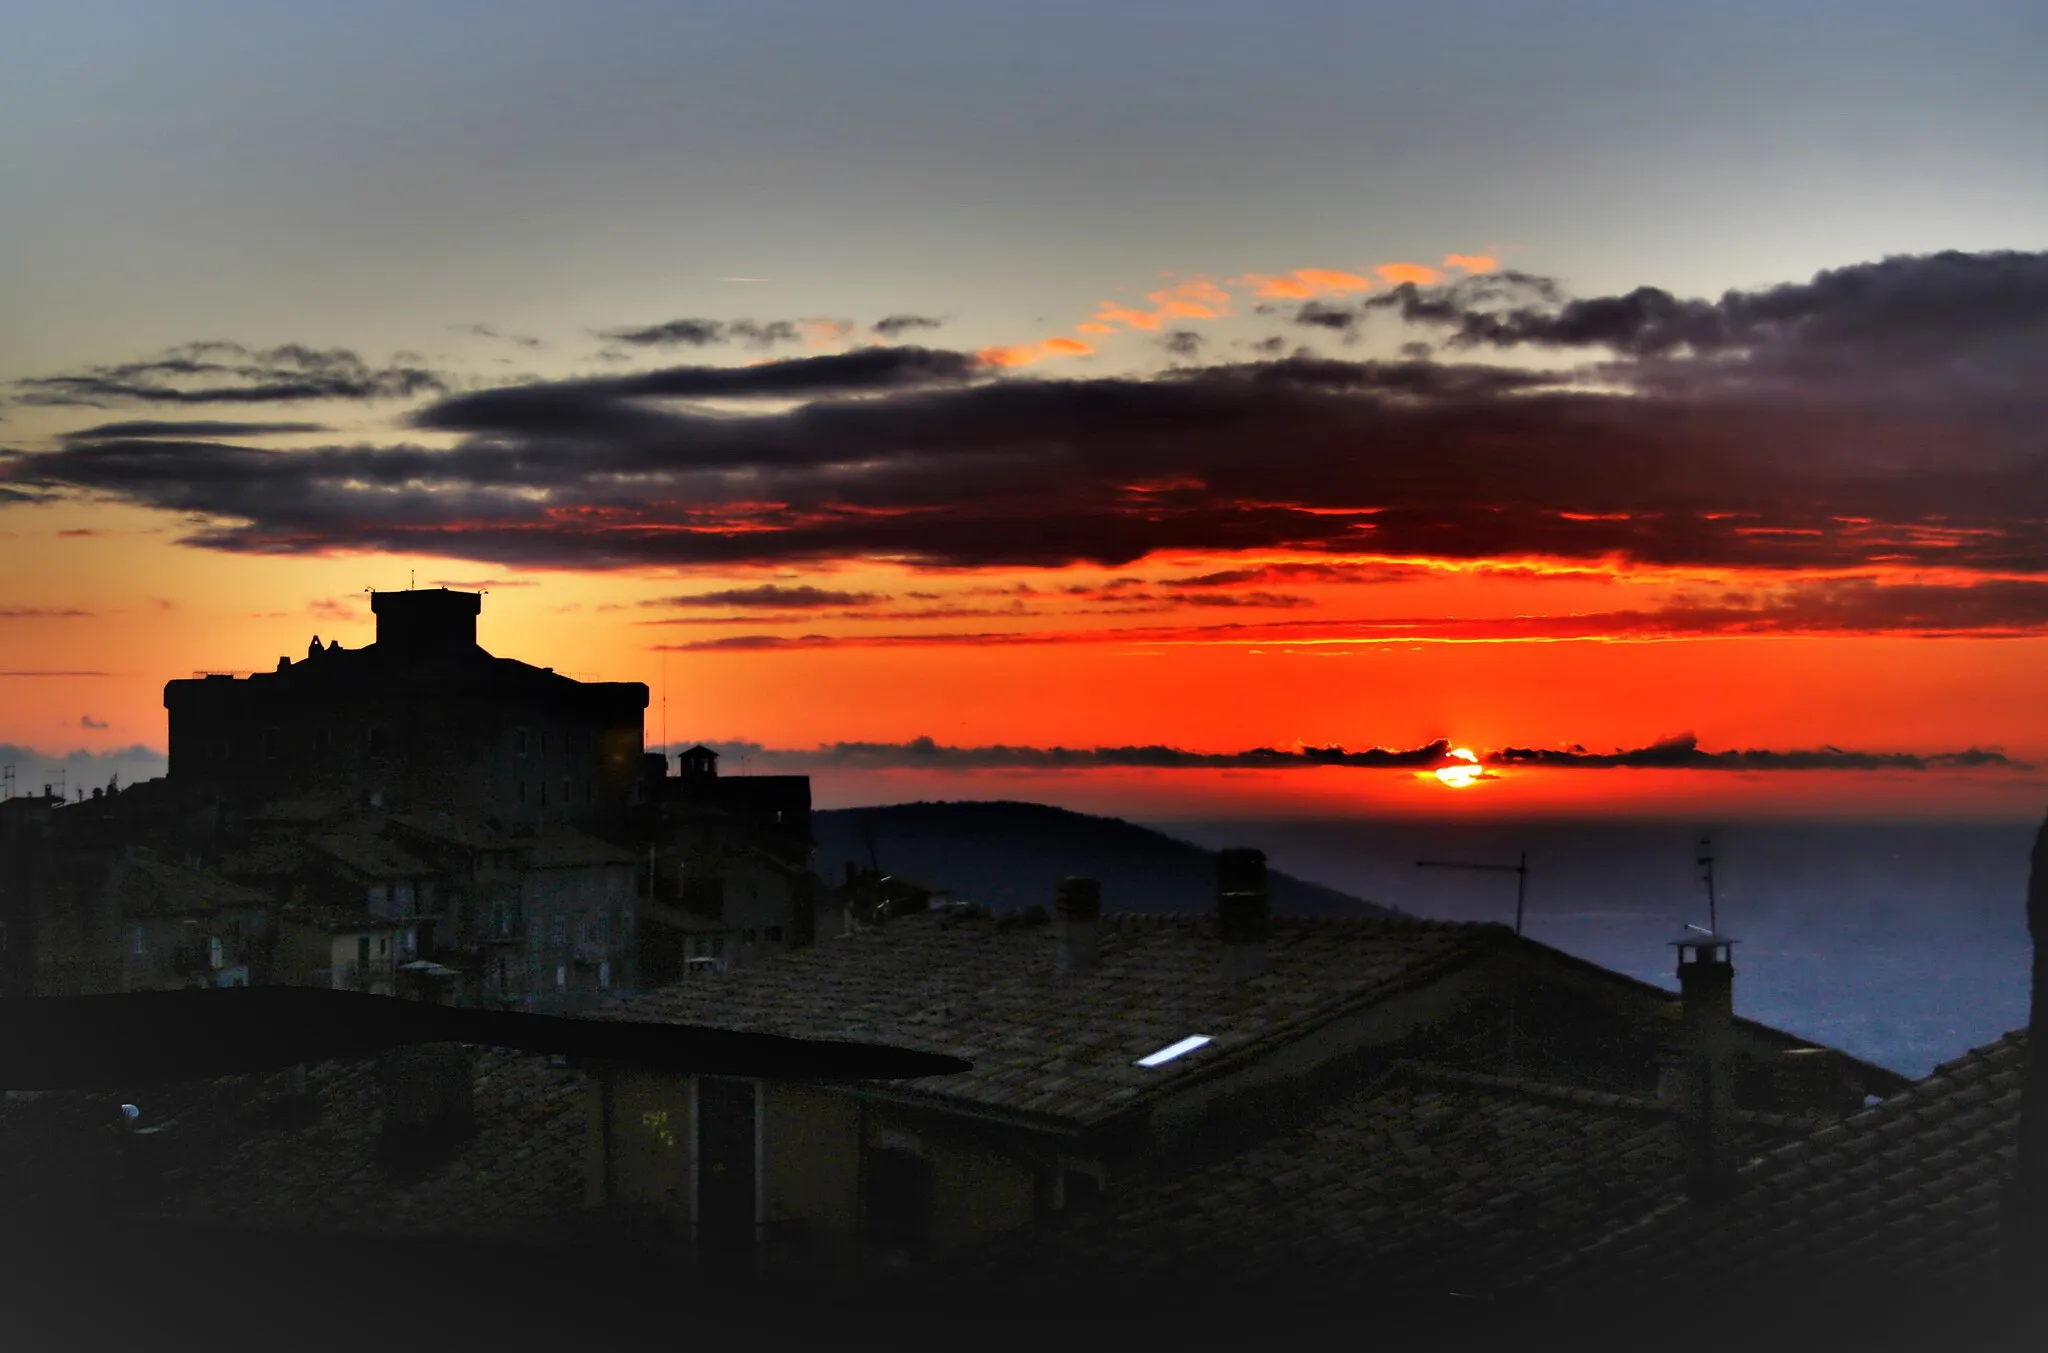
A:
[1009,857]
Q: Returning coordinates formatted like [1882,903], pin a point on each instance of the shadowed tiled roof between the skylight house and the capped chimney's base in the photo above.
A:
[1428,1182]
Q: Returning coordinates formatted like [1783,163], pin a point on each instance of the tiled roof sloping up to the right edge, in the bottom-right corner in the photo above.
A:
[1908,1190]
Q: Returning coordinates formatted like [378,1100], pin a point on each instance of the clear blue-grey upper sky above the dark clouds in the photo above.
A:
[382,175]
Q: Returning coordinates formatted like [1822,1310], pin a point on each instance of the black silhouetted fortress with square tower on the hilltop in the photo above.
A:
[421,717]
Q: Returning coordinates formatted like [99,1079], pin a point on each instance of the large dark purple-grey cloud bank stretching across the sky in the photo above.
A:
[1873,419]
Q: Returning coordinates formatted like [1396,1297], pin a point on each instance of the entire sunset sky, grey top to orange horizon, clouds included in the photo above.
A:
[1136,402]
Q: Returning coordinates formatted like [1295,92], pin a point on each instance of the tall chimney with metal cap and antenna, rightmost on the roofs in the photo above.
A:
[1707,1020]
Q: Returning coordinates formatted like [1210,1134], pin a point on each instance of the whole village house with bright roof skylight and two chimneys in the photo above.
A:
[1107,1051]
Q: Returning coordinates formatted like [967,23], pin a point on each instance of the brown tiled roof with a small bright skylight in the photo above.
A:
[1062,1049]
